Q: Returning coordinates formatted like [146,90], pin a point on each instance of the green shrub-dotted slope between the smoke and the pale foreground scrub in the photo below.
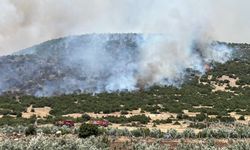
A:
[222,92]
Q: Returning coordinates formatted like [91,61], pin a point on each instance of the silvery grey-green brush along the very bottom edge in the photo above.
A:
[45,142]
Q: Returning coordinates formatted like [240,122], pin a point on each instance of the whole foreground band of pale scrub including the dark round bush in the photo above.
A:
[47,138]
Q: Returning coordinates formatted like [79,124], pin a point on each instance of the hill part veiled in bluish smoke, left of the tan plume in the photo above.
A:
[67,65]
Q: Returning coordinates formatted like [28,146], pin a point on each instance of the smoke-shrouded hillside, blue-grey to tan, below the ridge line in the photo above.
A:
[104,62]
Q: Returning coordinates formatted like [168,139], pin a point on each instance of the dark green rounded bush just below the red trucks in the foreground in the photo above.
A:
[87,130]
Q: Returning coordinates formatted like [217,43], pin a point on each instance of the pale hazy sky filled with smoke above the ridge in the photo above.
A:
[24,23]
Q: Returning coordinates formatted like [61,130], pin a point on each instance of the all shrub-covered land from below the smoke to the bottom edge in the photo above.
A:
[218,97]
